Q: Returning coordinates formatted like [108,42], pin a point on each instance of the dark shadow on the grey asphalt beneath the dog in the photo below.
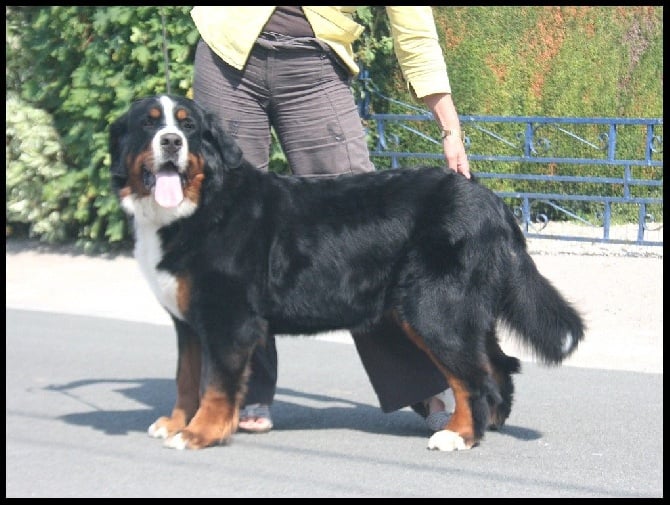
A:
[289,412]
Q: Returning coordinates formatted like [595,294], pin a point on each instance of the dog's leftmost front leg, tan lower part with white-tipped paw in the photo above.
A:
[189,366]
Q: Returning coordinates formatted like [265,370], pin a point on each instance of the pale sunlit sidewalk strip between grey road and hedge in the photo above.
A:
[619,292]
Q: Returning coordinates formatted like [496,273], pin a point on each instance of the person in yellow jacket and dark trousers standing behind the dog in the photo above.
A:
[290,68]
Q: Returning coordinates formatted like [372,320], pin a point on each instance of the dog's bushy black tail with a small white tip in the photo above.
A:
[539,314]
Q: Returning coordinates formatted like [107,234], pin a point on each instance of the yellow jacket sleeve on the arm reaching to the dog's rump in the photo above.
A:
[418,50]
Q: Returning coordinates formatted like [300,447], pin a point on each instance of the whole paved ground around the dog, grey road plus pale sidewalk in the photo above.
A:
[90,365]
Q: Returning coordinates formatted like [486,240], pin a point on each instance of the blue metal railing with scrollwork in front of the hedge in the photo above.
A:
[533,146]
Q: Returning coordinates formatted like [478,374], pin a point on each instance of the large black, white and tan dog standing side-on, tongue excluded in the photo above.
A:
[255,253]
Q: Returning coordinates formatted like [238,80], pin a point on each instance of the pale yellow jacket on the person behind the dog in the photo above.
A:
[232,31]
